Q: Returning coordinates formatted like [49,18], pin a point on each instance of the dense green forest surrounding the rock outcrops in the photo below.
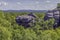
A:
[10,30]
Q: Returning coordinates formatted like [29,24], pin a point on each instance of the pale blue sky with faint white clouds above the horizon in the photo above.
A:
[28,4]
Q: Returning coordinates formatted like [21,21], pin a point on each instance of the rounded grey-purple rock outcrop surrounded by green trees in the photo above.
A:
[26,20]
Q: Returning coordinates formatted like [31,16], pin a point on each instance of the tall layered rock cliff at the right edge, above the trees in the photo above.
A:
[53,14]
